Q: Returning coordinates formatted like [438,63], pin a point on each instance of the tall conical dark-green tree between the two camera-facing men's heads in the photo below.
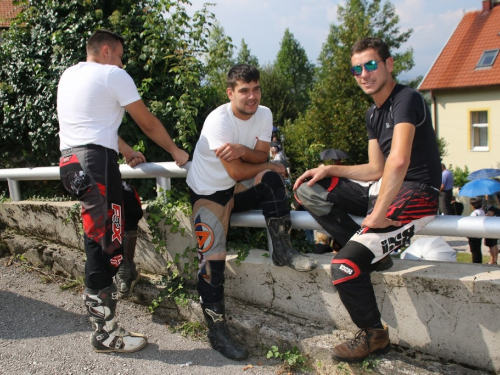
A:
[297,70]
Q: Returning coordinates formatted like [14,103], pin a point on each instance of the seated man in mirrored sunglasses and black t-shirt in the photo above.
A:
[396,191]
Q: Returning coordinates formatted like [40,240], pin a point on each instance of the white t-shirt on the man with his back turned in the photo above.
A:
[90,101]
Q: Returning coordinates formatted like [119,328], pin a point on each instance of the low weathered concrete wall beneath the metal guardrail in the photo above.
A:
[447,310]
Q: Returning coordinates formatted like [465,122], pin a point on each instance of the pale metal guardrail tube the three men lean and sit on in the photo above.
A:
[443,225]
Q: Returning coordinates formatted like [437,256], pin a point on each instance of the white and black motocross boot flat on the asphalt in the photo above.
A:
[108,336]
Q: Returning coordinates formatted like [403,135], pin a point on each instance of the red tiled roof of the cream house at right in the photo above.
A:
[456,65]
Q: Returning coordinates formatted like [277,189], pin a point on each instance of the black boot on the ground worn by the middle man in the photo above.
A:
[218,333]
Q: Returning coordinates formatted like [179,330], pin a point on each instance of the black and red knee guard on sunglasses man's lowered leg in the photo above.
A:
[353,260]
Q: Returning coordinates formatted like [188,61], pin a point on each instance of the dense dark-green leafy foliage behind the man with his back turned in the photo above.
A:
[162,54]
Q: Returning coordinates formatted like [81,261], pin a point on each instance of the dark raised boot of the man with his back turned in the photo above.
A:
[128,275]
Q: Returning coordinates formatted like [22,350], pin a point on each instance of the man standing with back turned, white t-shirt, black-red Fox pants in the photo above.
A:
[92,97]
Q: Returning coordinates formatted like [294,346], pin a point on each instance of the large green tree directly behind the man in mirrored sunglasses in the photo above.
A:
[336,116]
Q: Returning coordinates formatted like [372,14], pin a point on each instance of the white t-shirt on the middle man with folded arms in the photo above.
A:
[207,174]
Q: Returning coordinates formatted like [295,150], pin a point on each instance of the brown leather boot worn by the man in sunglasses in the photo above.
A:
[366,342]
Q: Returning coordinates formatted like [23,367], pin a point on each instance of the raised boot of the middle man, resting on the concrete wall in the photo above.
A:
[283,252]
